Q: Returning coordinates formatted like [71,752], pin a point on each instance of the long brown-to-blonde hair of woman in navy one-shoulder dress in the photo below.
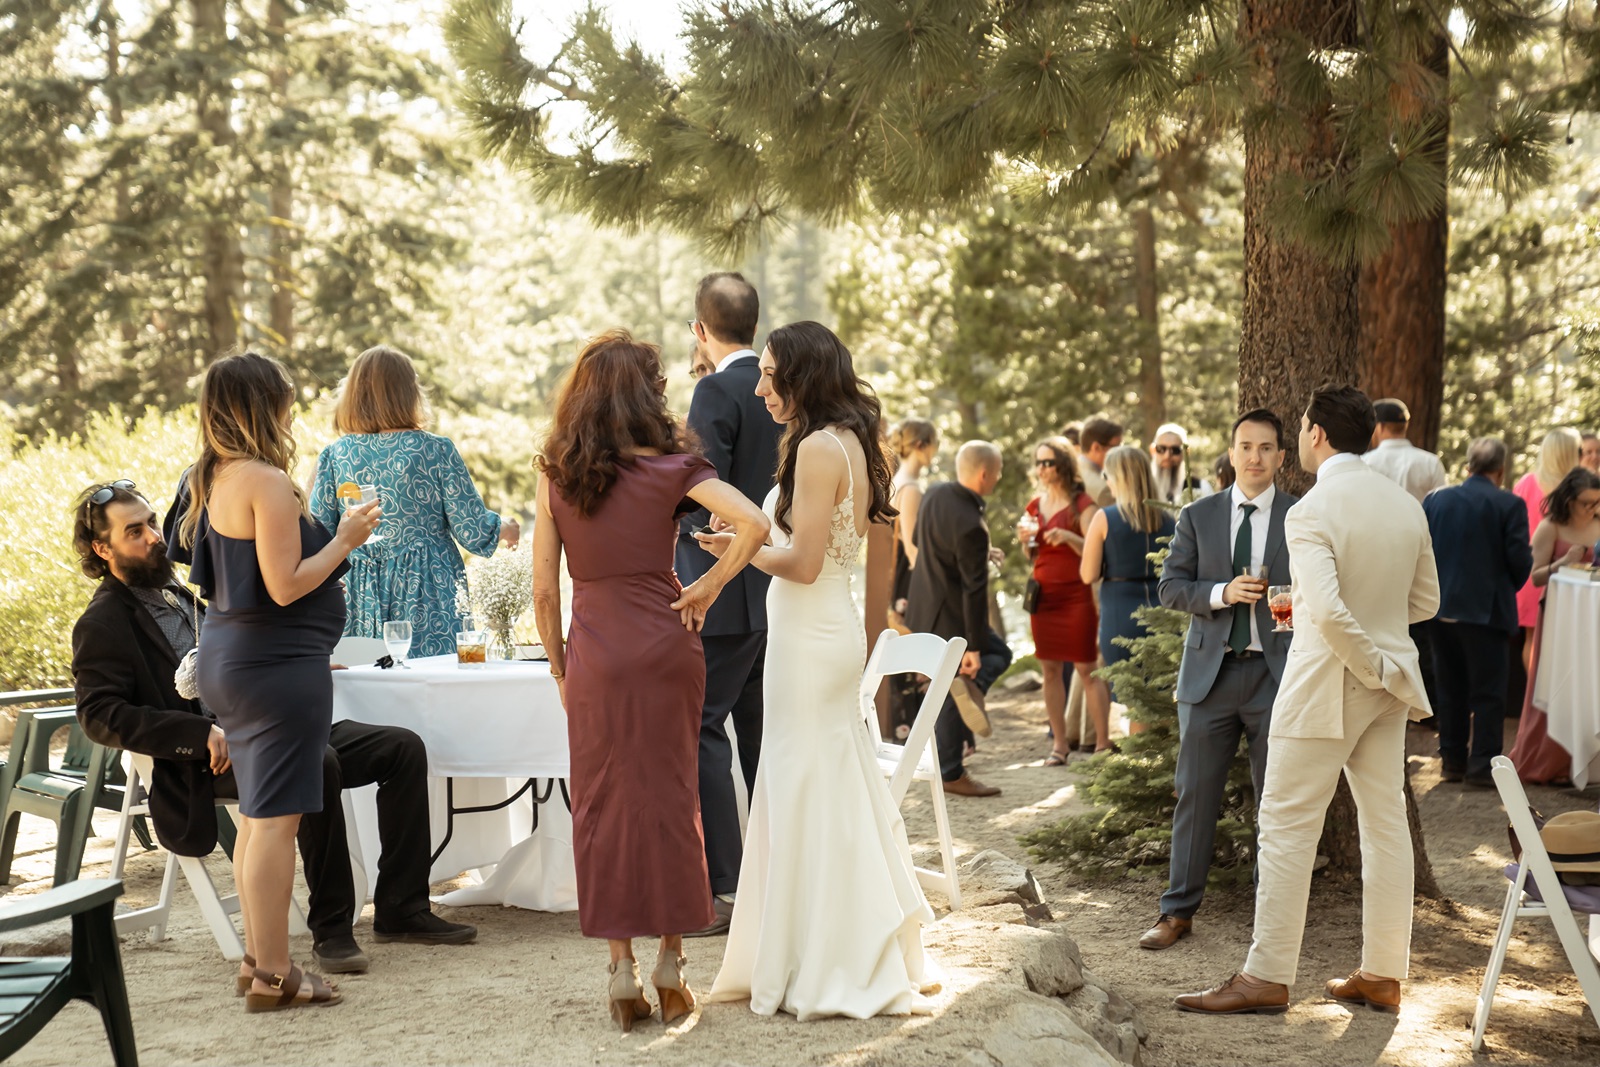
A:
[246,404]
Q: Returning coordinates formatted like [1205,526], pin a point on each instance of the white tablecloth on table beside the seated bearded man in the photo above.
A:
[489,729]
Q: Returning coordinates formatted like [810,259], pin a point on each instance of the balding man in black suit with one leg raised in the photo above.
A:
[950,596]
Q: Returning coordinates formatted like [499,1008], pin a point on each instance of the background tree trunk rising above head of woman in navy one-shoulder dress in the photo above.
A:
[223,260]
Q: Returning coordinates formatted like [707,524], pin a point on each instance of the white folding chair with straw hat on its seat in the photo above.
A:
[1535,863]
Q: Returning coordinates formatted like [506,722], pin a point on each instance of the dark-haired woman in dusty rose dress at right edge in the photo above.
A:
[1566,537]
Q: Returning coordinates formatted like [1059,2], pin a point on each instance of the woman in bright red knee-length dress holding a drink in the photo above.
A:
[1066,625]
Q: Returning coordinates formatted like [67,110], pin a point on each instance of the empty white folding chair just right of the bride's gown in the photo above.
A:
[918,759]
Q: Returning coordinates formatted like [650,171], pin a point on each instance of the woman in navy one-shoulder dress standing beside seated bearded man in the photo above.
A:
[273,578]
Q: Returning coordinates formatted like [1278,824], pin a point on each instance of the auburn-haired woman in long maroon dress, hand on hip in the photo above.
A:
[633,676]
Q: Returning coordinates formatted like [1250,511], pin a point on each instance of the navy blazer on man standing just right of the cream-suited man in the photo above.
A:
[1481,545]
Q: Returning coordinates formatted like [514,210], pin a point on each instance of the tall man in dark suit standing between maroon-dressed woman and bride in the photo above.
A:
[742,439]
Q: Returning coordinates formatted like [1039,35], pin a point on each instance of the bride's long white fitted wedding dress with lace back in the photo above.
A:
[830,914]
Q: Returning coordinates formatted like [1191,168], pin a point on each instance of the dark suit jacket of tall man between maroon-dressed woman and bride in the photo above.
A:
[742,441]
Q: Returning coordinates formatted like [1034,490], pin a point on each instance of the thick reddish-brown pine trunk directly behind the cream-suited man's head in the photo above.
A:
[1302,324]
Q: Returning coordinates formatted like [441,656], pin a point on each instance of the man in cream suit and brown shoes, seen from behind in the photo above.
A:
[1364,570]
